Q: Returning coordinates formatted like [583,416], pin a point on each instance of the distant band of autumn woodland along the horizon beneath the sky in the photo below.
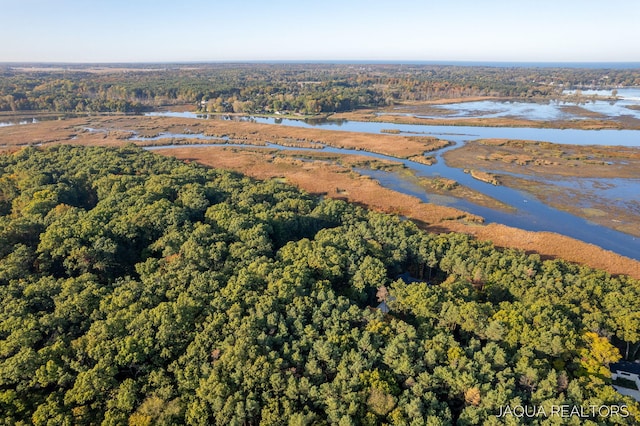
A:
[264,88]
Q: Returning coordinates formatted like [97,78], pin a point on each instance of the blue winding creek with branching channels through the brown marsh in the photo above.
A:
[530,214]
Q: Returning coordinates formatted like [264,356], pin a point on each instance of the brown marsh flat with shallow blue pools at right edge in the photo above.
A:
[561,175]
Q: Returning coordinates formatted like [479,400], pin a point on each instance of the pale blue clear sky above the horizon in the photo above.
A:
[213,30]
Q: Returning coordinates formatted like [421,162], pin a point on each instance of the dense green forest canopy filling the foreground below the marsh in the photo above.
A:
[138,289]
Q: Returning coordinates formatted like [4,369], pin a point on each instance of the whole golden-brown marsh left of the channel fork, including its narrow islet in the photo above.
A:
[315,171]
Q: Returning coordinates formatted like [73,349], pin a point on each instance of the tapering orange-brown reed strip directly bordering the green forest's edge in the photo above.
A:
[430,217]
